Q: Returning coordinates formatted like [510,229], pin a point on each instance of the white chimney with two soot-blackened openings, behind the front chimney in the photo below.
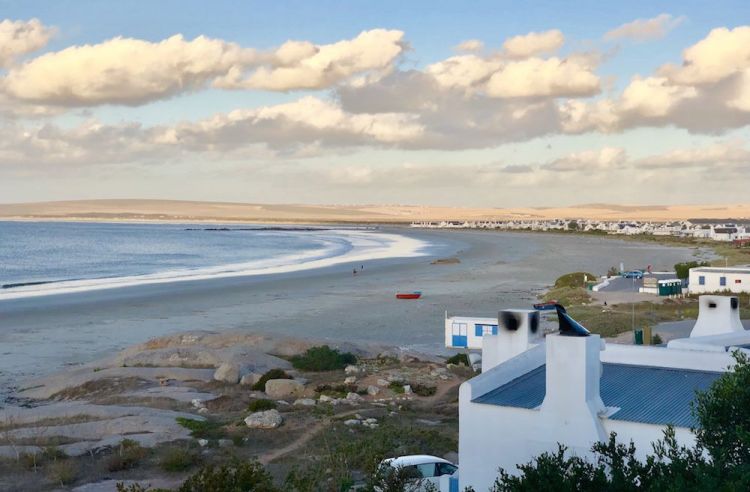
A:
[518,331]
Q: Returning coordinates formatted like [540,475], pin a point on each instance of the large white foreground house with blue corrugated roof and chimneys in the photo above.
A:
[572,388]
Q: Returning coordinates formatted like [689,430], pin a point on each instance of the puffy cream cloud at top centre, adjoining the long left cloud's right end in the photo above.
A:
[302,65]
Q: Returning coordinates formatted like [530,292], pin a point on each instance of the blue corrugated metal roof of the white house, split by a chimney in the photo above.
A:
[651,395]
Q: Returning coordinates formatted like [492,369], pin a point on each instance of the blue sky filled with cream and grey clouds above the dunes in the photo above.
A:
[477,104]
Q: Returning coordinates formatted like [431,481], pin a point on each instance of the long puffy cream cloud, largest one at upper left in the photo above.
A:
[123,71]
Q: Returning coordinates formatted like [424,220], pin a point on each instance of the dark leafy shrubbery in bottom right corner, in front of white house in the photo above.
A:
[724,431]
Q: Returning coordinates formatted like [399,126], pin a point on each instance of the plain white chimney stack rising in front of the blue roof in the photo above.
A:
[572,402]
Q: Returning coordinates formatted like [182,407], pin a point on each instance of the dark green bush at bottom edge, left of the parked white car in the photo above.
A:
[234,477]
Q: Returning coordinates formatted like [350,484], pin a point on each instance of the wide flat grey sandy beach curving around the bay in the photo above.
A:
[496,270]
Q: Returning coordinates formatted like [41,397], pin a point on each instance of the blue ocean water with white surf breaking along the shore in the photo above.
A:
[43,258]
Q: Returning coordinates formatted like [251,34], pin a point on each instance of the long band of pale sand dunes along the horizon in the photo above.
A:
[176,210]
